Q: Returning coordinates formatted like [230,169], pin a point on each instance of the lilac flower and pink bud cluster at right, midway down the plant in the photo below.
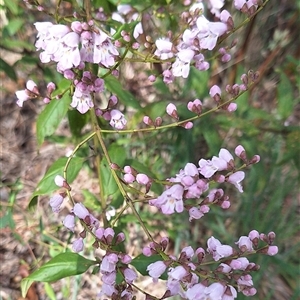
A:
[192,182]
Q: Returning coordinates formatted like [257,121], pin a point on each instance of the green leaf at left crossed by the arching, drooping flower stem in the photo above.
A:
[47,185]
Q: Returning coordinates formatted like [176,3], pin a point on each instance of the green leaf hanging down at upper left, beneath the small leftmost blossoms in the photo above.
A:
[51,117]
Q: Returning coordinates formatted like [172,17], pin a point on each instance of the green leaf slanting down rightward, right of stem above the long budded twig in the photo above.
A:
[114,86]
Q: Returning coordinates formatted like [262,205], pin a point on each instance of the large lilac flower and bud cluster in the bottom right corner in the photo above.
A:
[184,273]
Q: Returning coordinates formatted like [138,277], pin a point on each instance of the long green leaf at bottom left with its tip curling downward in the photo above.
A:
[63,265]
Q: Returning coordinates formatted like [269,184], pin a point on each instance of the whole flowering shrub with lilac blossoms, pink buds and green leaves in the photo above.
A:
[88,50]
